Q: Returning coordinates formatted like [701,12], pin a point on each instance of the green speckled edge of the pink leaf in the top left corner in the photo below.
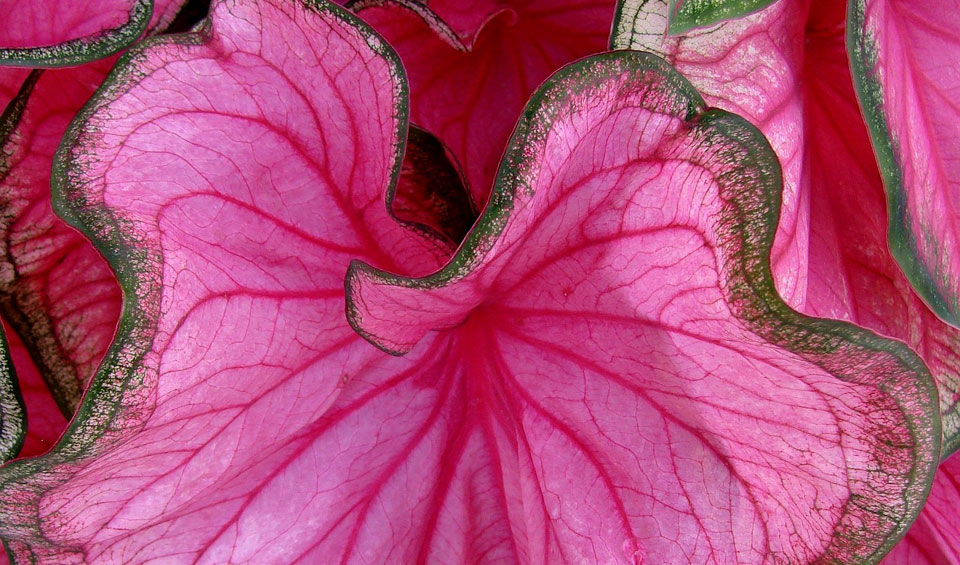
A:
[83,49]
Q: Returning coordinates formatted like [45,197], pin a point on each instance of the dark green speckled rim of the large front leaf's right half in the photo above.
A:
[750,190]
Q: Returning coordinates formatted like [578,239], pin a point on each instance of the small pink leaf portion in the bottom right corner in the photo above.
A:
[934,539]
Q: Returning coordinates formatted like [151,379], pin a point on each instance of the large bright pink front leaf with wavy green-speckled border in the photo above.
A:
[602,368]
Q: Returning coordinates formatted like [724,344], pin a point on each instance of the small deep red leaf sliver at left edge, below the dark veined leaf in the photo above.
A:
[44,419]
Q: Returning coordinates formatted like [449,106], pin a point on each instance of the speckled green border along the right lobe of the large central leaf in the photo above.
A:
[754,299]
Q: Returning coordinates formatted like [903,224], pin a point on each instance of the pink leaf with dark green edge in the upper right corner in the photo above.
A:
[904,60]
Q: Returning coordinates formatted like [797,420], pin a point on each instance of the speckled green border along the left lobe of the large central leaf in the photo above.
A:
[111,406]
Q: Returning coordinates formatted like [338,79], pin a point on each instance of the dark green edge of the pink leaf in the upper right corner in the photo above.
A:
[862,51]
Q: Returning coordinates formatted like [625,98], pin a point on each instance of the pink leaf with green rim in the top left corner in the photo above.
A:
[44,33]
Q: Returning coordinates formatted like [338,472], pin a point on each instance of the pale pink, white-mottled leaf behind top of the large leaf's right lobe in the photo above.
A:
[751,67]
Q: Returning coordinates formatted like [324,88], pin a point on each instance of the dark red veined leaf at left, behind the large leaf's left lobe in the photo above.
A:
[57,292]
